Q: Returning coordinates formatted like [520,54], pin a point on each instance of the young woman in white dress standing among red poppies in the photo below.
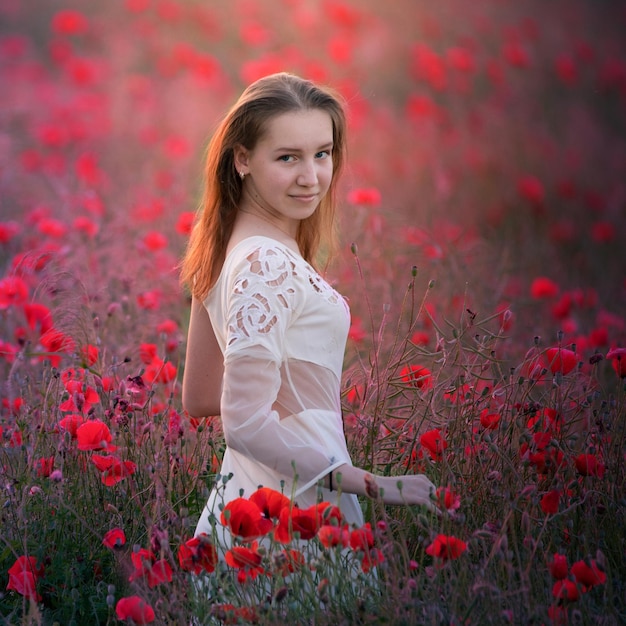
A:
[267,334]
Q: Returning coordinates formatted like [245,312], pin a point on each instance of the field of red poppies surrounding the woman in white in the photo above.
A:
[481,237]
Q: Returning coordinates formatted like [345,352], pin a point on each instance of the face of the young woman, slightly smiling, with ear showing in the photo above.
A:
[290,169]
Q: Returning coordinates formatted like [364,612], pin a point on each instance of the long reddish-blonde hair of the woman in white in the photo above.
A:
[244,125]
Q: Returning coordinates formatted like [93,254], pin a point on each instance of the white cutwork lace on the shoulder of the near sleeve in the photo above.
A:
[263,292]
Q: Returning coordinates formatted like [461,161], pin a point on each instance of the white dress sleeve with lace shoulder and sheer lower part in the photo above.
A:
[265,298]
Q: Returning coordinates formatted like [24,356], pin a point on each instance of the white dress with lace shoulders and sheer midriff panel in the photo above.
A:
[282,330]
